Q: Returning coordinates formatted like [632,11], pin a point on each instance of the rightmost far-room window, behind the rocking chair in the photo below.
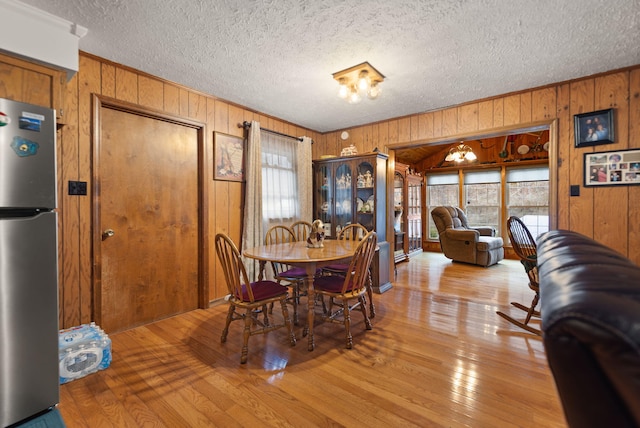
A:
[527,194]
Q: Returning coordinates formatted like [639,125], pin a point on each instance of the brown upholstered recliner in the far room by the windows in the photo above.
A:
[462,243]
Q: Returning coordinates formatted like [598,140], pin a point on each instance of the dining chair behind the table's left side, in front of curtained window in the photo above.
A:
[290,276]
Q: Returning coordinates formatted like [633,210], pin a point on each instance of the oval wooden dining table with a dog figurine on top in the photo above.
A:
[300,255]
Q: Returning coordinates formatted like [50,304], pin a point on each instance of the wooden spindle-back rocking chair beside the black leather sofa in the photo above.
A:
[526,249]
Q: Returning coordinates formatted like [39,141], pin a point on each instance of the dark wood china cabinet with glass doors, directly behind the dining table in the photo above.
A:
[352,189]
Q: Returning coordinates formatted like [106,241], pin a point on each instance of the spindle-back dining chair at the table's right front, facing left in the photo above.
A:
[341,290]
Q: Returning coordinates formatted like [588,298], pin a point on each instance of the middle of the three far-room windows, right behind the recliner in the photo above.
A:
[482,198]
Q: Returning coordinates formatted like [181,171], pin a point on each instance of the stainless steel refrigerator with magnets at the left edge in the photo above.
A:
[29,383]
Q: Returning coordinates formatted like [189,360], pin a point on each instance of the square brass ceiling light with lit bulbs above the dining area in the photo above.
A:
[358,80]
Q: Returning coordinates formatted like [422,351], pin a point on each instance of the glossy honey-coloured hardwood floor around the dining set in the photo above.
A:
[438,356]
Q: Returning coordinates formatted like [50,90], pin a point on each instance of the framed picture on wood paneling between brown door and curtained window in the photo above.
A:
[228,157]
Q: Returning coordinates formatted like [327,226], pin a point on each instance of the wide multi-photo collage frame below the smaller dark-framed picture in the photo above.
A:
[615,168]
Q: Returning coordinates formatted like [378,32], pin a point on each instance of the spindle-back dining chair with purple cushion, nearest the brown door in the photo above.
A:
[250,297]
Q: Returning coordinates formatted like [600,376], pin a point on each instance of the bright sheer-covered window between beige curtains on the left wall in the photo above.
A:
[279,180]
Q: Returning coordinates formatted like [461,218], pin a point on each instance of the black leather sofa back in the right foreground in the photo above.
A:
[590,306]
